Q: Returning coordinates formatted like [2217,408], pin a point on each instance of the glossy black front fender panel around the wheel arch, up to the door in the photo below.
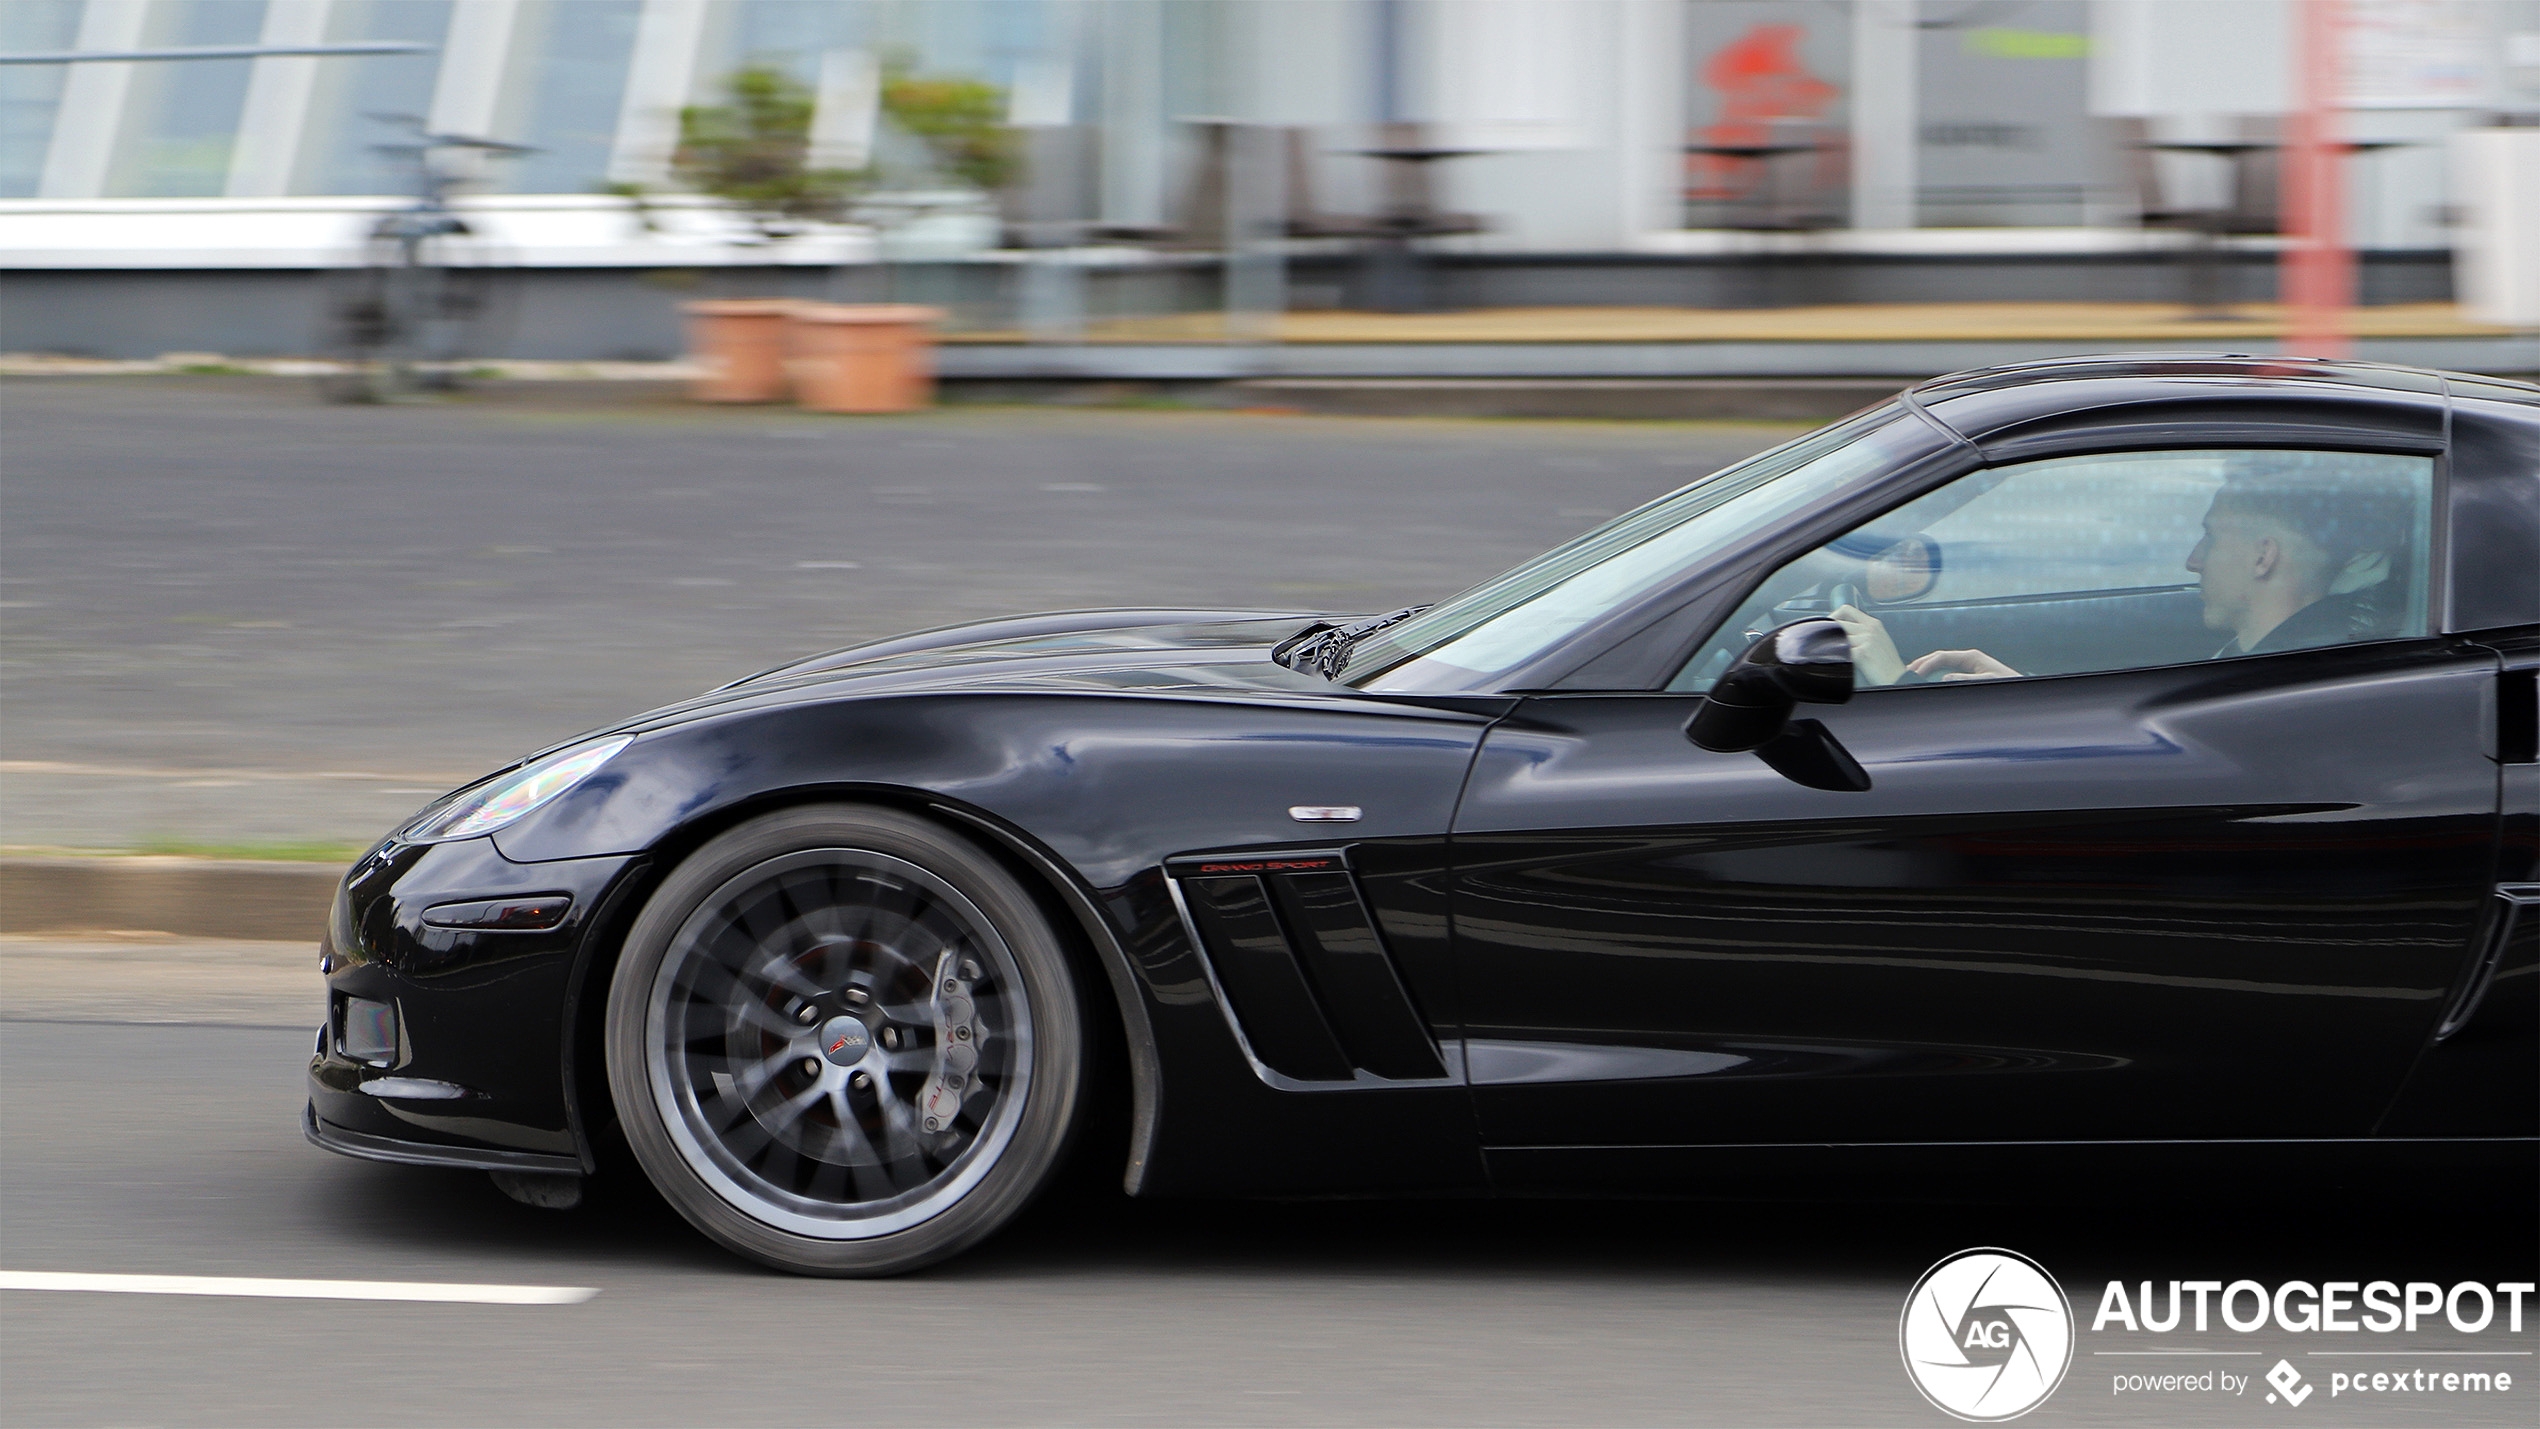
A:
[1101,788]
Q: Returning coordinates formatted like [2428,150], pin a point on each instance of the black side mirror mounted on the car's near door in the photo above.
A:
[1807,661]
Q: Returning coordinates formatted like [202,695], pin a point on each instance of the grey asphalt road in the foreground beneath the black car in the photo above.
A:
[177,1151]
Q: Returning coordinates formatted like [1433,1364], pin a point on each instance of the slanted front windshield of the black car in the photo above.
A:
[1515,618]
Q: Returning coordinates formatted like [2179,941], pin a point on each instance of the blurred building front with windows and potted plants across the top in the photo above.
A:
[1152,189]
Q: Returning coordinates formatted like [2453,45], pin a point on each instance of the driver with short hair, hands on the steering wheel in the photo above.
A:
[2287,562]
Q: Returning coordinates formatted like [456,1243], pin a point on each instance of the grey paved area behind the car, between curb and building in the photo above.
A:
[235,616]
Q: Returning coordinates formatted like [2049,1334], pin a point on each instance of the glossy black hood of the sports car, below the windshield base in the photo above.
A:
[1058,654]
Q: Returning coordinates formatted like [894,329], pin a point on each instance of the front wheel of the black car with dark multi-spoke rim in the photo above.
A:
[845,1042]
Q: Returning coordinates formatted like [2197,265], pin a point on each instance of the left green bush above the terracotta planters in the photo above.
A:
[756,154]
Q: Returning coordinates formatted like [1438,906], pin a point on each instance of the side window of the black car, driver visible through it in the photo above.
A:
[2112,562]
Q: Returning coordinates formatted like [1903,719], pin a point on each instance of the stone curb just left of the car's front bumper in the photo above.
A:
[187,897]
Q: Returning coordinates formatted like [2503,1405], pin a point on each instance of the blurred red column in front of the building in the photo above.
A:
[2318,275]
